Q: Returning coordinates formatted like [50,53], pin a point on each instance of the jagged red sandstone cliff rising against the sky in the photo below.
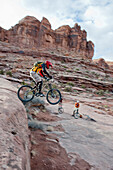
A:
[32,33]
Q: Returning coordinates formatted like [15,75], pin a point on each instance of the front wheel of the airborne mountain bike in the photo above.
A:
[53,96]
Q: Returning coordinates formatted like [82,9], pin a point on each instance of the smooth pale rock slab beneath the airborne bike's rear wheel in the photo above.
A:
[14,134]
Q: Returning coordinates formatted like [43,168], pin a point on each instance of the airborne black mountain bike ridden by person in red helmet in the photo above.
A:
[26,93]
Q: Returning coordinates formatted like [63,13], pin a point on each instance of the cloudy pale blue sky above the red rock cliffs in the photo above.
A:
[94,16]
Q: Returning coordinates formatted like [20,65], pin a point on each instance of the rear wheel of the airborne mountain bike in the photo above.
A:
[25,93]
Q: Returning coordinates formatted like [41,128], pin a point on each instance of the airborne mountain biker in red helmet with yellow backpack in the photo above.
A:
[38,72]
